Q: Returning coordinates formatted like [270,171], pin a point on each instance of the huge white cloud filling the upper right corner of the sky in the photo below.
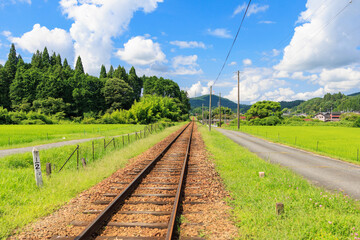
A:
[324,40]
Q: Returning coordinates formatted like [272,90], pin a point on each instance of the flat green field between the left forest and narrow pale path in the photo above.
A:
[13,136]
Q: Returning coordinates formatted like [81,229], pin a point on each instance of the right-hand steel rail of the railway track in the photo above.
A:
[179,191]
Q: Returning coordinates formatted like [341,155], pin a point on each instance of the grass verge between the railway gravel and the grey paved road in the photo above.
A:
[310,212]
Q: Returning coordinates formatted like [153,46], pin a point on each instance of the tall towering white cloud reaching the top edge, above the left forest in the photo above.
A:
[96,22]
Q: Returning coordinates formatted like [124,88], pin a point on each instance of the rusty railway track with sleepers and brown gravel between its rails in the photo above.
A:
[148,204]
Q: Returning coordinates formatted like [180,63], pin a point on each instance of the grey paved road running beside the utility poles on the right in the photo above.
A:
[323,171]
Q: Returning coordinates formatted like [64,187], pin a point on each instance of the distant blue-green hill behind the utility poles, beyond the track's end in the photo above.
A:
[198,101]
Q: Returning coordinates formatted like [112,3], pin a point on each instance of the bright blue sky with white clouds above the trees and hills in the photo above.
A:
[286,50]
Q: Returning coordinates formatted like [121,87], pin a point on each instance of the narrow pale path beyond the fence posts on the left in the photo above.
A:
[7,152]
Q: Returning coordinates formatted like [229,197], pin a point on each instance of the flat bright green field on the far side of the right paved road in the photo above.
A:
[338,142]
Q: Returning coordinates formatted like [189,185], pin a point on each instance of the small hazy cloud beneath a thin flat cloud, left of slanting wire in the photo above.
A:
[186,65]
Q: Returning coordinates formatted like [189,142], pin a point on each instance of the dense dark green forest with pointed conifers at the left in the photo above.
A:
[50,86]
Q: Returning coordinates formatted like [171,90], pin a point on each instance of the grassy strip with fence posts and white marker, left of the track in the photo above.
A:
[22,202]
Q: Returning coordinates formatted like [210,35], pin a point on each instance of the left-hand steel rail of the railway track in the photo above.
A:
[91,231]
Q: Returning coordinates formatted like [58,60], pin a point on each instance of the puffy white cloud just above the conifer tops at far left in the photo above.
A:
[56,40]
